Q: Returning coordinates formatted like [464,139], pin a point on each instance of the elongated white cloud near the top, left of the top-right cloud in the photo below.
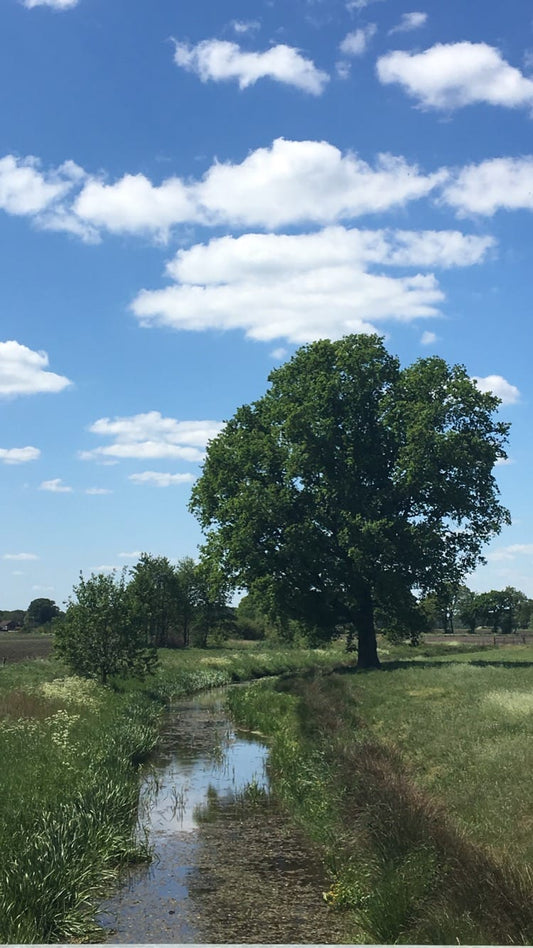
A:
[221,60]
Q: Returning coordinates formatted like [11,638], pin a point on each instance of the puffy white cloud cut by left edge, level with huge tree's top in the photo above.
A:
[24,372]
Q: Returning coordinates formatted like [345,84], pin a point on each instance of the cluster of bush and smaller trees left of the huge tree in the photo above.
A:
[114,624]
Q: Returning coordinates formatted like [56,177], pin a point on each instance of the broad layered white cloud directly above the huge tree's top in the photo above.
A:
[303,287]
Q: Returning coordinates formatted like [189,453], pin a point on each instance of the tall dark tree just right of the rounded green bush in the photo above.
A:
[154,588]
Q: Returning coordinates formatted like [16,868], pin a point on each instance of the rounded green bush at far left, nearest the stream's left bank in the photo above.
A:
[101,635]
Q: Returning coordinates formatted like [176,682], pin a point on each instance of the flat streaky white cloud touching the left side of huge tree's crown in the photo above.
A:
[150,435]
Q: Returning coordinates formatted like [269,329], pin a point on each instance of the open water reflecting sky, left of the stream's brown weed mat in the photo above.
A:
[200,758]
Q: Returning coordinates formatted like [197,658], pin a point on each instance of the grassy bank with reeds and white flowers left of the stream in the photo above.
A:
[70,753]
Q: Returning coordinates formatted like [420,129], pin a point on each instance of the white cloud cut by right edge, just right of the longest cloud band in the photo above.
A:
[505,183]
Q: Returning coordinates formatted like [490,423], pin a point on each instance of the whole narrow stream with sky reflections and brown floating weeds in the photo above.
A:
[228,867]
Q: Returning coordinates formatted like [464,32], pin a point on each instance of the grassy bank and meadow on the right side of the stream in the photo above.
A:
[414,780]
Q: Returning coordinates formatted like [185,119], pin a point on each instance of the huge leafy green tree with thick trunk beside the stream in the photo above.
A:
[351,484]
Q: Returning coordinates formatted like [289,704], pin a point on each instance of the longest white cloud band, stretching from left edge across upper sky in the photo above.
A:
[289,182]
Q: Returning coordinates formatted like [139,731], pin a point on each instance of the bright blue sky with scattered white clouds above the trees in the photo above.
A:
[188,192]
